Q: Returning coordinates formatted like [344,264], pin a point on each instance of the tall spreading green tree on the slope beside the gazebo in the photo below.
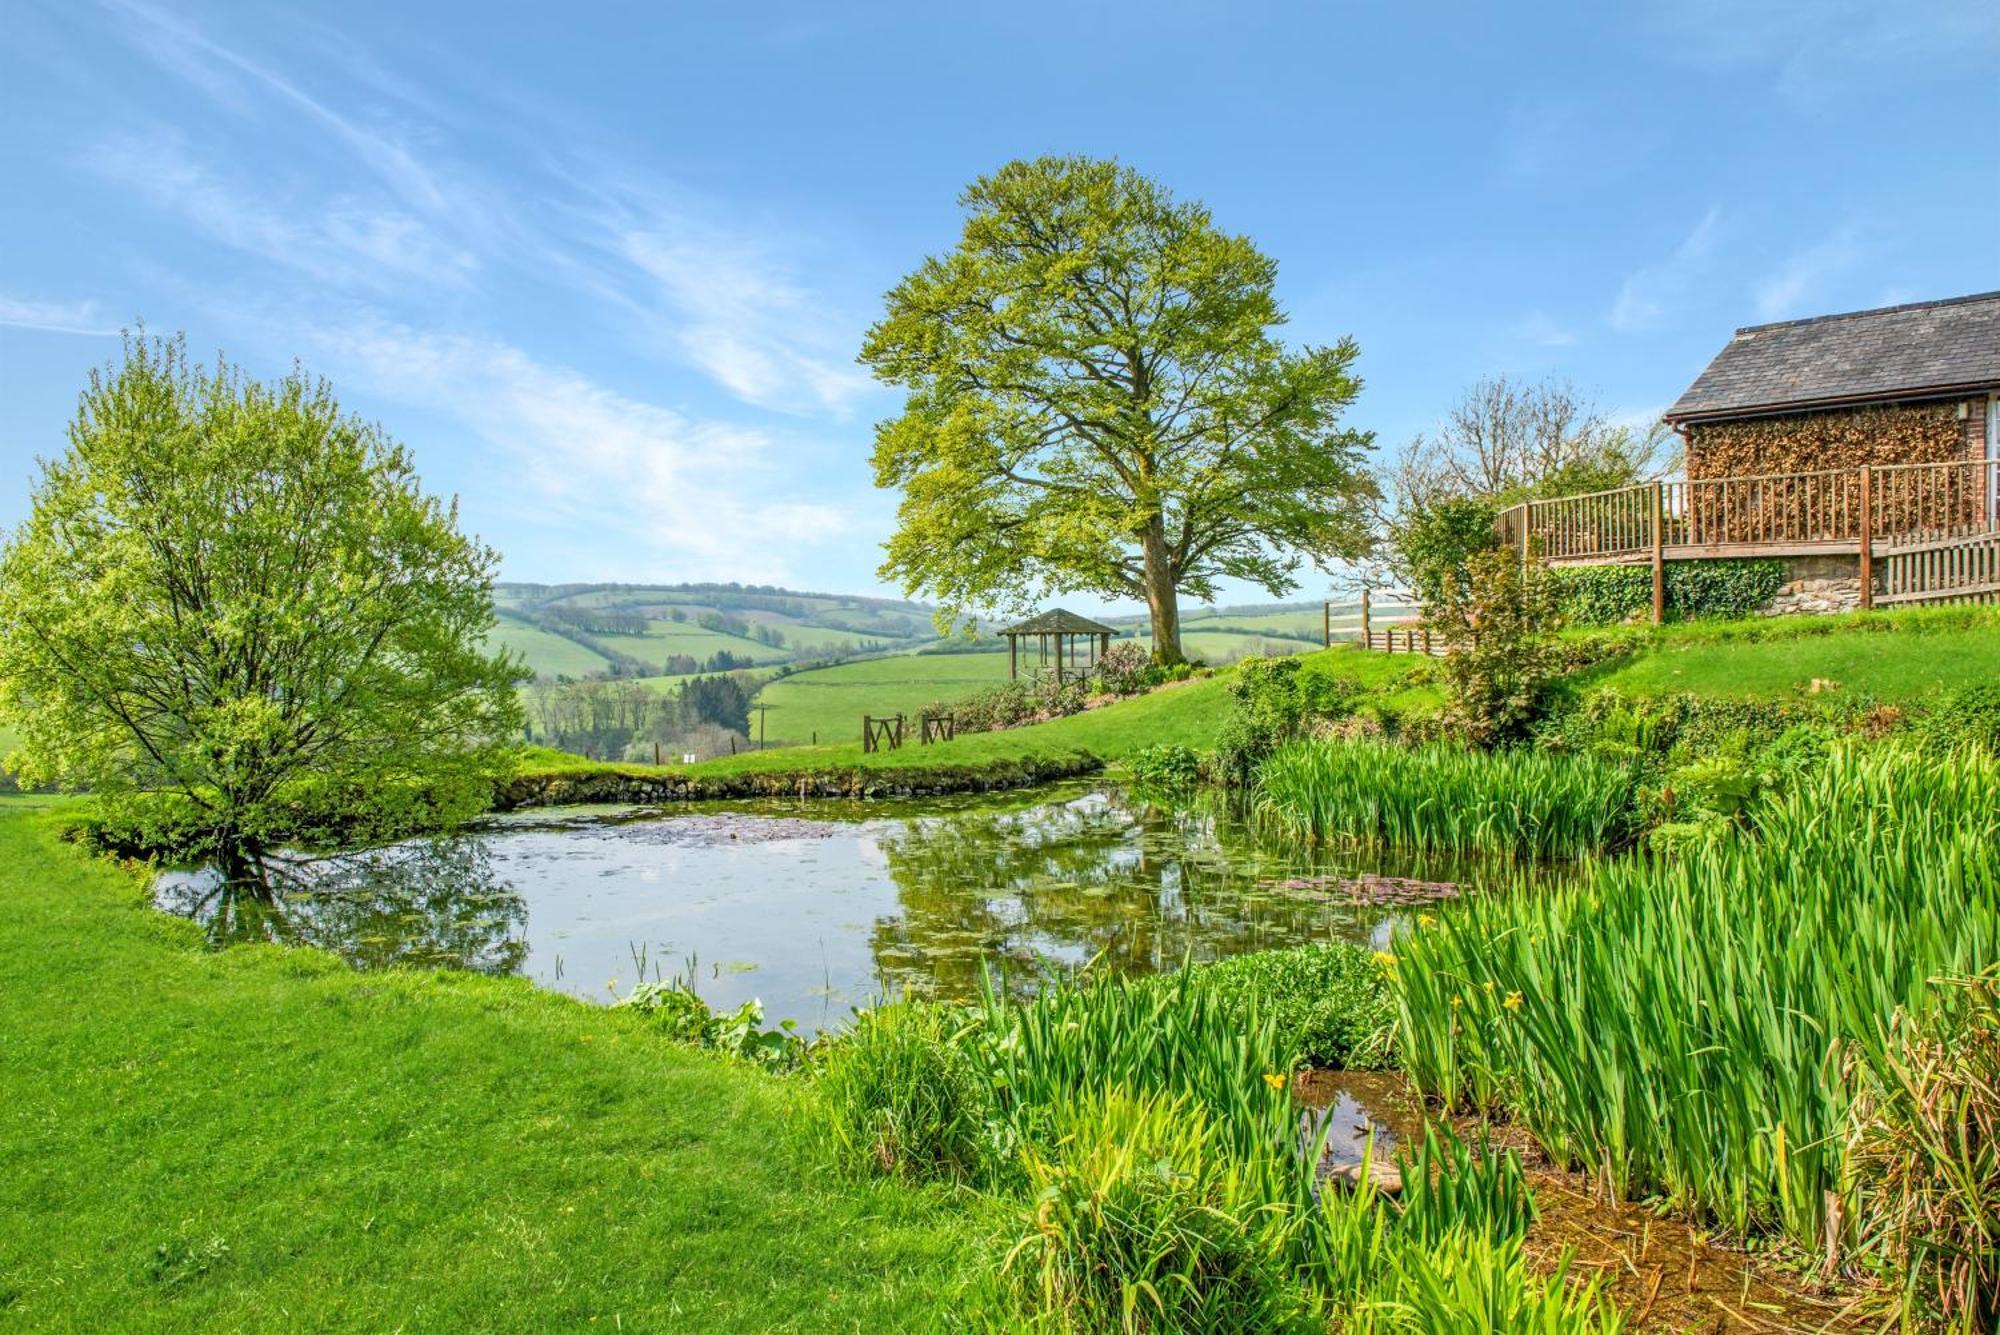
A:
[1099,403]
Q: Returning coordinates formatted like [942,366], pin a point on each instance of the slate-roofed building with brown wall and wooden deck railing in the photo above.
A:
[1863,451]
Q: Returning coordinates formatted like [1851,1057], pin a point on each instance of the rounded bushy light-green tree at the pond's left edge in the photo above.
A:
[239,597]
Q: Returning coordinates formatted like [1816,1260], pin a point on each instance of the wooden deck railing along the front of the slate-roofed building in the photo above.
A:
[1921,533]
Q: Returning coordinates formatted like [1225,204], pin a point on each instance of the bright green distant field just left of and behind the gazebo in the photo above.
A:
[831,700]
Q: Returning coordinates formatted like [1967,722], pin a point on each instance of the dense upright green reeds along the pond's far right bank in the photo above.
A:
[1519,804]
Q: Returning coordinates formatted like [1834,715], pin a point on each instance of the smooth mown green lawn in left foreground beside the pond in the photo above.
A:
[267,1140]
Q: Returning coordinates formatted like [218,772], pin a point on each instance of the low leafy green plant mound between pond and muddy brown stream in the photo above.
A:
[1331,1002]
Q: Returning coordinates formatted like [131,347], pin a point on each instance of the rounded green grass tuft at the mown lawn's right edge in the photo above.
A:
[901,1096]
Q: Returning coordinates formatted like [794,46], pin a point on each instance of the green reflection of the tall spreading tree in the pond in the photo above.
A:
[1105,876]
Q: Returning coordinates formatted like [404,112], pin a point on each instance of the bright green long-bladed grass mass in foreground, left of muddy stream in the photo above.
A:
[1147,1140]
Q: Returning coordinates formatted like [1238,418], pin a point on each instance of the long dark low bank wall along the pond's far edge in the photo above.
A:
[647,786]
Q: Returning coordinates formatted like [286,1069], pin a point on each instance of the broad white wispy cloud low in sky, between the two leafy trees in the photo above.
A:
[695,499]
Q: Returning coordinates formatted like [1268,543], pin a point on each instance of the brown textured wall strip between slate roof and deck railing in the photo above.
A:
[1845,439]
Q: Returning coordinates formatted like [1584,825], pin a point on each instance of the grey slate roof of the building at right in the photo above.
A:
[1869,355]
